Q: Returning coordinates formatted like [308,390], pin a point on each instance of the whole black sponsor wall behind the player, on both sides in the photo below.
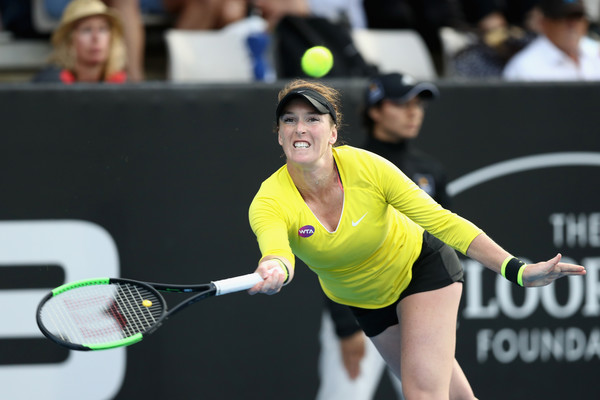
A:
[169,172]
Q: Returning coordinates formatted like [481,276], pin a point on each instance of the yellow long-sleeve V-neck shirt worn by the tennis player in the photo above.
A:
[367,261]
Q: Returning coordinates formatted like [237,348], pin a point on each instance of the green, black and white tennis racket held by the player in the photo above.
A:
[104,313]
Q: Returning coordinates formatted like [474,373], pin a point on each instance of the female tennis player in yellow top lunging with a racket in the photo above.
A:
[377,242]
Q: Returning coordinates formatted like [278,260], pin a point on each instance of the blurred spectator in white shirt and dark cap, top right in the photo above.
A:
[562,52]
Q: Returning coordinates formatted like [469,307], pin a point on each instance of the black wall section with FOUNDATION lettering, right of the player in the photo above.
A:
[538,197]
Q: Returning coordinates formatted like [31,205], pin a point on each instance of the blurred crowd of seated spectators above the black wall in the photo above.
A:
[249,40]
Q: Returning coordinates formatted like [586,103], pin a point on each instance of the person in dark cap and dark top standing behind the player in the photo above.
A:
[394,110]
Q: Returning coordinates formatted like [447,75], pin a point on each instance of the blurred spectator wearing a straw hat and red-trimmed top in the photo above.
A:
[88,46]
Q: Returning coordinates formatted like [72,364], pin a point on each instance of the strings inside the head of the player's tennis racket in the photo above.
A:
[99,314]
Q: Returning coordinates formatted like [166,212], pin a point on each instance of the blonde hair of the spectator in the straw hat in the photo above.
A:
[64,56]
